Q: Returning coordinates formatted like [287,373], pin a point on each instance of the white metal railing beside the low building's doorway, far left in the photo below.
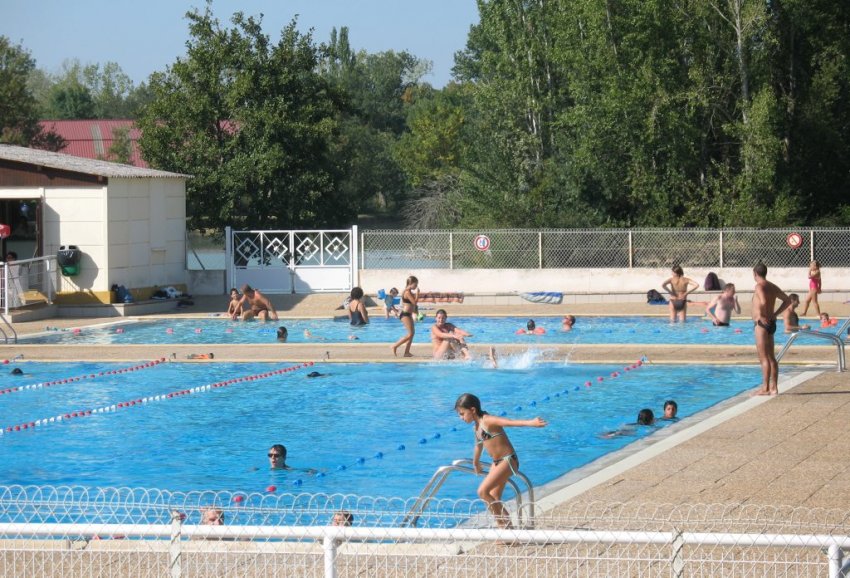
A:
[28,281]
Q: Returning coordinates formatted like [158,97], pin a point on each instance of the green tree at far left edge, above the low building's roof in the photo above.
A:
[18,115]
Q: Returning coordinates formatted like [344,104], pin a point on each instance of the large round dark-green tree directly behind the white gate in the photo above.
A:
[252,122]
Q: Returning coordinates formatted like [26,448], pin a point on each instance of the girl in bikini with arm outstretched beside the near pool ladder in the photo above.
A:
[489,432]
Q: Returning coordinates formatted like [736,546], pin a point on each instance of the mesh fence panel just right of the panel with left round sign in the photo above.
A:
[585,249]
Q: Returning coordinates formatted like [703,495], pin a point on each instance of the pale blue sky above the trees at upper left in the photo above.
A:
[144,36]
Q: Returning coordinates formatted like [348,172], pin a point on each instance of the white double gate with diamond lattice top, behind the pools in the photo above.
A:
[292,261]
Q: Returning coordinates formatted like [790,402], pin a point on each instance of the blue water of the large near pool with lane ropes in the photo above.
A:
[217,439]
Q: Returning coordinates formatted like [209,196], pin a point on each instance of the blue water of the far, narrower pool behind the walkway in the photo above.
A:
[613,330]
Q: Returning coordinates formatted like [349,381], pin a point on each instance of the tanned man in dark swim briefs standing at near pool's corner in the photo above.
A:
[765,296]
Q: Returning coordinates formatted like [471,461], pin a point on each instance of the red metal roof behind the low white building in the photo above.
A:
[91,139]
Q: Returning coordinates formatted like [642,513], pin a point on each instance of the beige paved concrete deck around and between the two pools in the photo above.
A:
[788,450]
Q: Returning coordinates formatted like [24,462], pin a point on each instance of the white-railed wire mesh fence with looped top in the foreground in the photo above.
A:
[122,532]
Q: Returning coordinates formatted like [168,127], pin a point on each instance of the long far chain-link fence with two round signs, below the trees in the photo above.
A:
[603,248]
